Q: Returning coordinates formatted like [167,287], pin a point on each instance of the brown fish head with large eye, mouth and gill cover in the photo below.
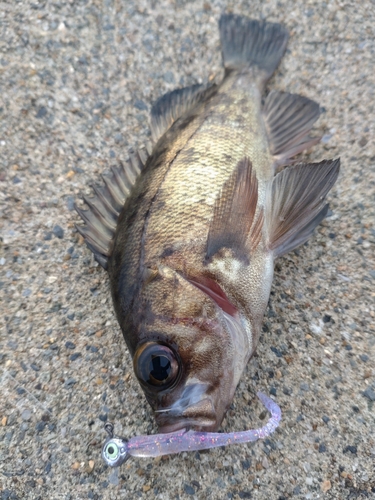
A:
[190,355]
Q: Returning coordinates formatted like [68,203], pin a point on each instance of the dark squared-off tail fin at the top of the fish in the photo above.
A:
[246,42]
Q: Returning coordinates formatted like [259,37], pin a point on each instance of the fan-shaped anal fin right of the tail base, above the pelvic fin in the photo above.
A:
[289,119]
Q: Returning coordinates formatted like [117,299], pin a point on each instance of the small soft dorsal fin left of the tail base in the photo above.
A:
[171,106]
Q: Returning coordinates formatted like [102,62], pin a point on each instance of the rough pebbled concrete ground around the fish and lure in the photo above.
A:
[77,79]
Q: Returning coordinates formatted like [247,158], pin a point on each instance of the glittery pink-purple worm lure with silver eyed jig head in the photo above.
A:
[117,450]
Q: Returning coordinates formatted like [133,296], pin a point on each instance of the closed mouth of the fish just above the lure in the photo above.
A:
[200,416]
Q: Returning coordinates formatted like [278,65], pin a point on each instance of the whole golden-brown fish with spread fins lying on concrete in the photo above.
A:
[189,227]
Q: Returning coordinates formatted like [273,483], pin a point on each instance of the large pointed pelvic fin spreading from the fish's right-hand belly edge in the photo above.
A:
[296,203]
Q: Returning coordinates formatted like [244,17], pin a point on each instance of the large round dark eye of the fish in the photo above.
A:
[156,366]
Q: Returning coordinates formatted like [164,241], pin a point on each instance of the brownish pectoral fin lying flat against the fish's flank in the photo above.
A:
[233,225]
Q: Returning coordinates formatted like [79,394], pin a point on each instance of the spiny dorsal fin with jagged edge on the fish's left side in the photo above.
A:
[105,207]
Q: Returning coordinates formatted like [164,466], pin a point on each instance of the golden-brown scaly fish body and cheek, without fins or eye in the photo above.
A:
[190,165]
